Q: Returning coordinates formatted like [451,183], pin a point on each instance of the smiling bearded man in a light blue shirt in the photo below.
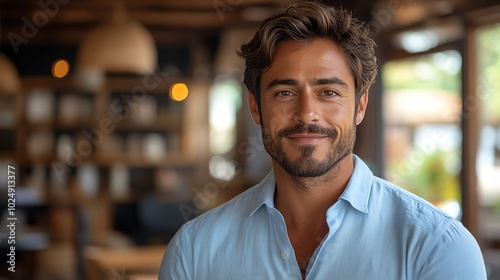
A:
[320,214]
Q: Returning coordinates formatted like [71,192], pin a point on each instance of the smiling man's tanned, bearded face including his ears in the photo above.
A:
[308,113]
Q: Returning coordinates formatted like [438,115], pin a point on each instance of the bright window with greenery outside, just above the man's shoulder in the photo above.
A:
[422,134]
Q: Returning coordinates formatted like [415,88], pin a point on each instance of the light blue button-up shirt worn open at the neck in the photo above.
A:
[377,231]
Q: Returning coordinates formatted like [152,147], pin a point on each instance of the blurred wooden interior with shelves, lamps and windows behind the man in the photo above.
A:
[125,119]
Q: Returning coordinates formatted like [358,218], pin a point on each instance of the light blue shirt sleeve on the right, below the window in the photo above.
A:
[456,256]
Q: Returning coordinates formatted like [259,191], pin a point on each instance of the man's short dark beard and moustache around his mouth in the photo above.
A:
[306,165]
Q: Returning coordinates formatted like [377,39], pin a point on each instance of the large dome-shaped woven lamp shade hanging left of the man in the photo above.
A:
[121,45]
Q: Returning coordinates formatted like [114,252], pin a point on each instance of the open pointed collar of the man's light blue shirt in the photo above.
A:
[357,192]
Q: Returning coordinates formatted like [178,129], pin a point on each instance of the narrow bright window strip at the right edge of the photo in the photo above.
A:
[488,154]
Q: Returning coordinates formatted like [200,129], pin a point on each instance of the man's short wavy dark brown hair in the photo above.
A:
[304,22]
